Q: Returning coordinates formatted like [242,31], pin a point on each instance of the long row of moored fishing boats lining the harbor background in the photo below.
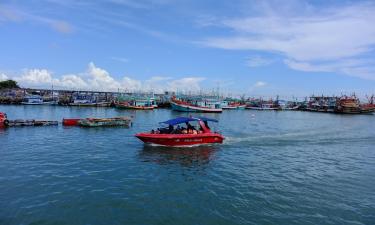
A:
[208,103]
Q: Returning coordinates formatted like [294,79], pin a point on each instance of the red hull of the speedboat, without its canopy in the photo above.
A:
[176,140]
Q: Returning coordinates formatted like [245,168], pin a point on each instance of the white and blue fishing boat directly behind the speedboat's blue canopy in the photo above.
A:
[196,105]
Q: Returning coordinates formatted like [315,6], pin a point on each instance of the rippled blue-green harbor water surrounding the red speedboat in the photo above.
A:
[273,168]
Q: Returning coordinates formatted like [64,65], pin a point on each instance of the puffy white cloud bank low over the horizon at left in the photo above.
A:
[98,79]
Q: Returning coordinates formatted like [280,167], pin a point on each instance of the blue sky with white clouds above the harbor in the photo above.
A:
[255,48]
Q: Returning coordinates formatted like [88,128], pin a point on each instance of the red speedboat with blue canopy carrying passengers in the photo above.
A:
[174,135]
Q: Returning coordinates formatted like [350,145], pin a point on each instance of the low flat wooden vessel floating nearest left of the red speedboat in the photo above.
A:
[105,122]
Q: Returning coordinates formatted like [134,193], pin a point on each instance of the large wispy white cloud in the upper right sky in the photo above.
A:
[306,35]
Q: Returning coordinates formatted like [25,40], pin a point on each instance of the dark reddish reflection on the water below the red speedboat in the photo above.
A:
[185,156]
